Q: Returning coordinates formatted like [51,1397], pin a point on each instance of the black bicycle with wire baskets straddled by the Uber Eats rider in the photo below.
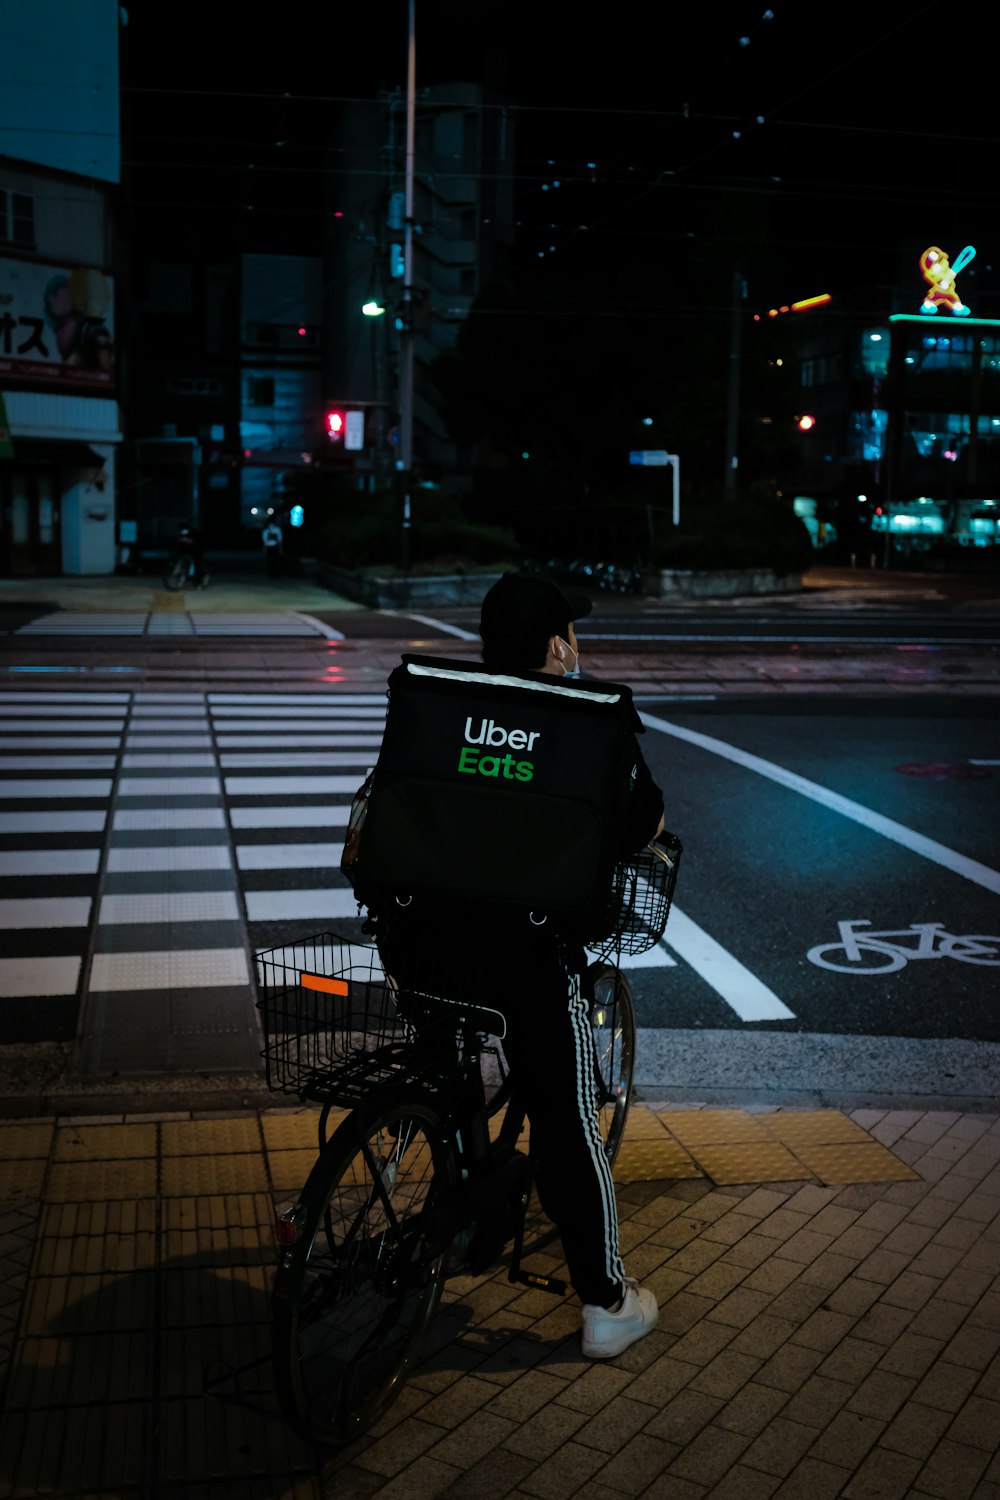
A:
[425,1180]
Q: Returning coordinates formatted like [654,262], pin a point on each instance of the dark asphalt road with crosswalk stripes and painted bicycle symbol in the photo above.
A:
[170,805]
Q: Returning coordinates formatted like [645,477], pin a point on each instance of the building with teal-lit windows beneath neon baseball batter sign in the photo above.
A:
[896,406]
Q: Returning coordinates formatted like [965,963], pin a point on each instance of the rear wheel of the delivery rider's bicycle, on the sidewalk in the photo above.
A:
[359,1286]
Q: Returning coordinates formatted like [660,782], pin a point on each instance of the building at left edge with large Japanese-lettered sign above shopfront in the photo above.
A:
[59,365]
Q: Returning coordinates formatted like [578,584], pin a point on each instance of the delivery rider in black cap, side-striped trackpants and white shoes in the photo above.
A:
[527,628]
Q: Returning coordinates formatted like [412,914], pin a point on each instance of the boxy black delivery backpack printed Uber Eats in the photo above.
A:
[497,790]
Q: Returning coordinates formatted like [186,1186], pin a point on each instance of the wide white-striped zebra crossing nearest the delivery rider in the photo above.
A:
[152,842]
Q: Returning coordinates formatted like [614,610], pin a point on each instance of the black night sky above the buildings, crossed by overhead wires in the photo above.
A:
[812,146]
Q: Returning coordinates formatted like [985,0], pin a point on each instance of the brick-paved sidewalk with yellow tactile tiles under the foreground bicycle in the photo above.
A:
[830,1291]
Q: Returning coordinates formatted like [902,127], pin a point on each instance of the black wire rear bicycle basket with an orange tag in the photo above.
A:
[329,1018]
